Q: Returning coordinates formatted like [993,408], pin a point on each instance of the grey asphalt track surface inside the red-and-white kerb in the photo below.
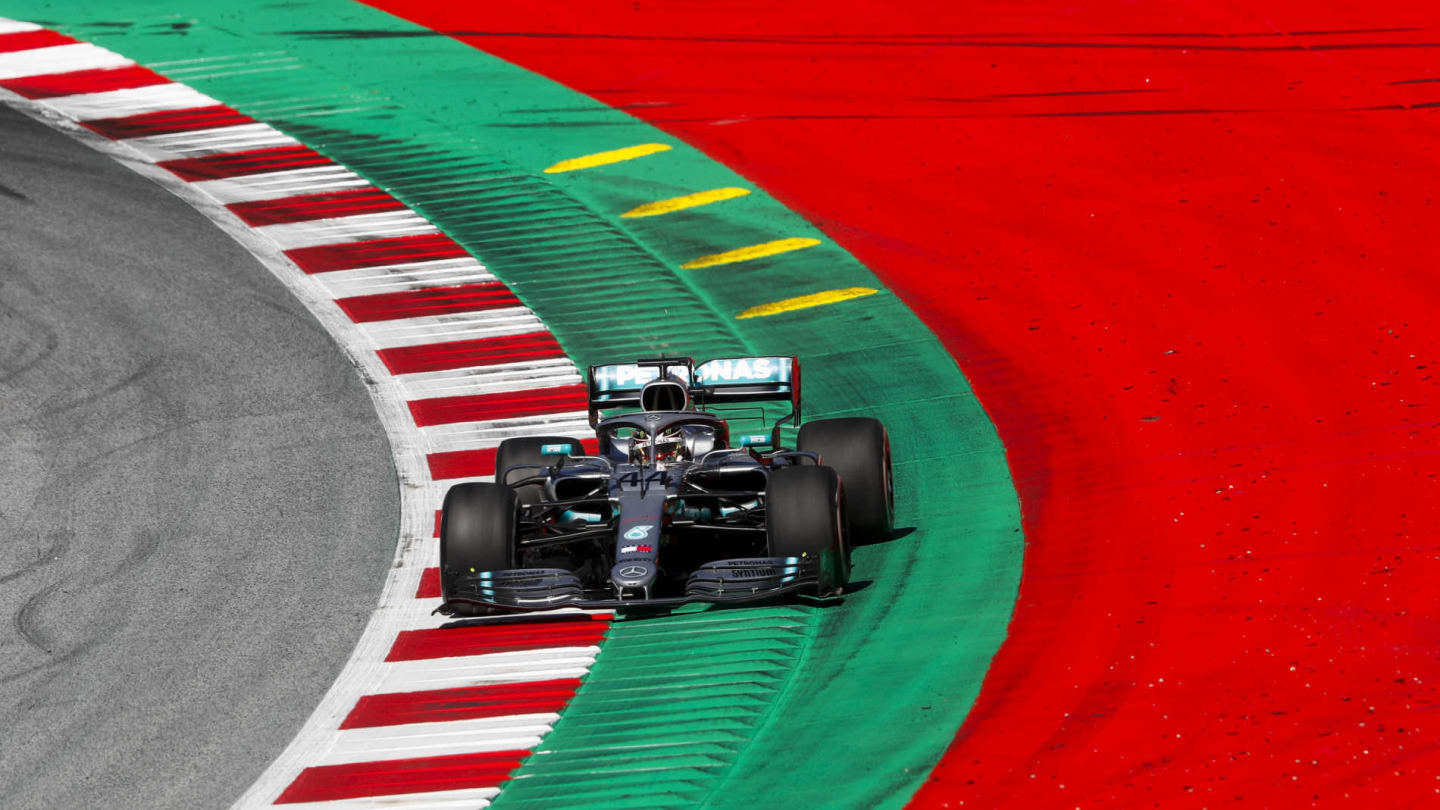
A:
[198,502]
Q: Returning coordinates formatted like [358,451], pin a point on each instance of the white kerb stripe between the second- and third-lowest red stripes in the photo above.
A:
[480,671]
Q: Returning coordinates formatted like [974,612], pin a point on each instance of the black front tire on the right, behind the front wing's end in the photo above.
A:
[804,518]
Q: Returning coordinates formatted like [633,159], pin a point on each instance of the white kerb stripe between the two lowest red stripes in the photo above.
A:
[512,733]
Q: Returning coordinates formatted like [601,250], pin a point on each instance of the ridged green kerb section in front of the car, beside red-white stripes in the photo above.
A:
[666,711]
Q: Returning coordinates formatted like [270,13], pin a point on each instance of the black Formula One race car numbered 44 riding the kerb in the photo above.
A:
[672,508]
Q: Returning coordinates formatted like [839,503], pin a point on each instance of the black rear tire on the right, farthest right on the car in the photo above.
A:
[859,449]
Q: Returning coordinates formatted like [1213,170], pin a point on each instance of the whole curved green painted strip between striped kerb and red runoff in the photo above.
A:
[790,706]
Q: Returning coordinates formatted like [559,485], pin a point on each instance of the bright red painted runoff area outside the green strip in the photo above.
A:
[1184,254]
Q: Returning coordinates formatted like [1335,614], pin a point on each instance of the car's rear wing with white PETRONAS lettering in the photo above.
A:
[722,381]
